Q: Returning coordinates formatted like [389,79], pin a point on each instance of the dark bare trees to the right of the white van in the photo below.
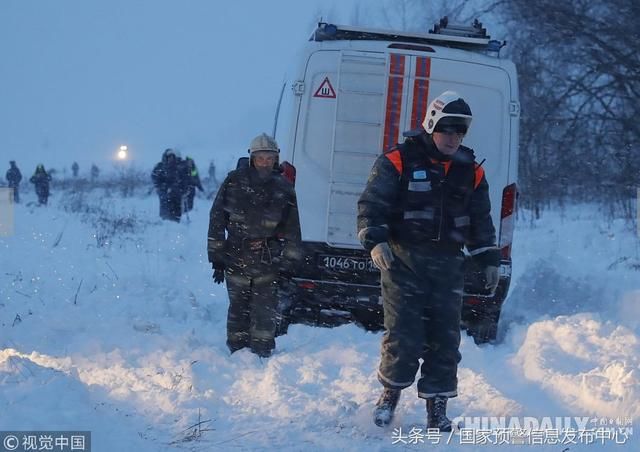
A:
[579,65]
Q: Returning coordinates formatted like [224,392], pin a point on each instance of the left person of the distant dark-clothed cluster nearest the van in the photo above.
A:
[167,179]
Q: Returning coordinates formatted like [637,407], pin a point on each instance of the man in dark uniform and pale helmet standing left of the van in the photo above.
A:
[257,209]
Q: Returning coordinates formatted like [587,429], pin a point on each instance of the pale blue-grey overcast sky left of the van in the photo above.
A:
[78,78]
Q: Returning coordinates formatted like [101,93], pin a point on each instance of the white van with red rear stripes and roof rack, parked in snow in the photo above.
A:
[356,92]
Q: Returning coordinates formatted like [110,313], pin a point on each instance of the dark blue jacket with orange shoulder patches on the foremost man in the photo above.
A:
[416,195]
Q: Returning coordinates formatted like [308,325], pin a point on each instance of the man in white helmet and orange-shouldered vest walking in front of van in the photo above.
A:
[424,200]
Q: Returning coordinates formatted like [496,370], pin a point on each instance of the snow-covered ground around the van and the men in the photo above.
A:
[123,335]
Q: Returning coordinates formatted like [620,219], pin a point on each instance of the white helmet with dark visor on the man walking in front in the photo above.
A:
[447,111]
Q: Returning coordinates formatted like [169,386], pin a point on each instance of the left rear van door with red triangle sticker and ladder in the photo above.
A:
[337,140]
